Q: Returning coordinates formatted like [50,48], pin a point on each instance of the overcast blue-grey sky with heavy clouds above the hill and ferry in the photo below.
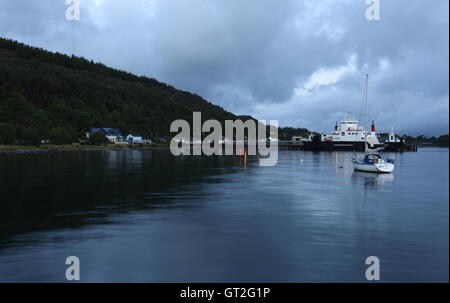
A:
[299,62]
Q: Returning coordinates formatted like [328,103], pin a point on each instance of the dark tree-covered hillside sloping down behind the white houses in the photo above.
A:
[46,94]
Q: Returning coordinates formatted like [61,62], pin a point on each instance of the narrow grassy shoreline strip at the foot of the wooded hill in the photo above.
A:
[19,149]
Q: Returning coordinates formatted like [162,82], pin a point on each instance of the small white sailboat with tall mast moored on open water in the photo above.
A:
[372,162]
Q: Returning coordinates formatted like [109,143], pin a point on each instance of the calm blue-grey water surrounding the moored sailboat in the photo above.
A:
[147,216]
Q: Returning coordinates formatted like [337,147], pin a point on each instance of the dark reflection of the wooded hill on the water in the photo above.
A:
[67,190]
